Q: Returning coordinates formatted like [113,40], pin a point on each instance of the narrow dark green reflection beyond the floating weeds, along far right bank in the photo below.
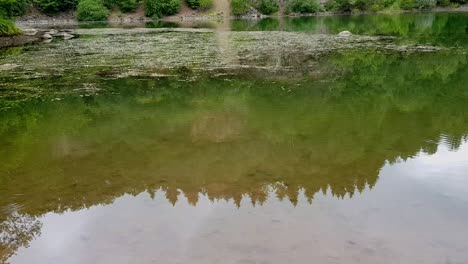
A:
[446,29]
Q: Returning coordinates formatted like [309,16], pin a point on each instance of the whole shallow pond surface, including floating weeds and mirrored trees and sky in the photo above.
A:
[310,148]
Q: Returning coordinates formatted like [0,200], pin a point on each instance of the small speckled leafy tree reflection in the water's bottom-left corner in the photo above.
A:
[17,231]
